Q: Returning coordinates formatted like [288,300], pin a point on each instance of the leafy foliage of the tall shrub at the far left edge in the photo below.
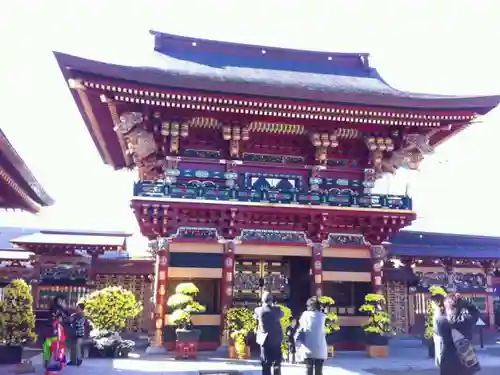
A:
[17,322]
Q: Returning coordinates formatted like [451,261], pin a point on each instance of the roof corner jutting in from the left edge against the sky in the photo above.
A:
[31,190]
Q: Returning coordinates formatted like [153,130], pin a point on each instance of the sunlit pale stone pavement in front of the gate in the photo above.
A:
[403,360]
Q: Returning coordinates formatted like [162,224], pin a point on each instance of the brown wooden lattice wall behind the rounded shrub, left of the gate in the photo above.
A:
[142,291]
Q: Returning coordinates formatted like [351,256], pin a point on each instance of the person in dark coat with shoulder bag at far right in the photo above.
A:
[455,356]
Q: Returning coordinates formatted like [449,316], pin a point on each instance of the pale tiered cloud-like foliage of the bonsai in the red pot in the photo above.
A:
[184,305]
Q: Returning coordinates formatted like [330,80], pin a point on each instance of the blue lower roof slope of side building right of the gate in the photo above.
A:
[461,252]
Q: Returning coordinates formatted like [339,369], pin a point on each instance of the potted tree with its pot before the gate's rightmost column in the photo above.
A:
[378,328]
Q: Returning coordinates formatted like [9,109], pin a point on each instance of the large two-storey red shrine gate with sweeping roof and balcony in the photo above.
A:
[256,166]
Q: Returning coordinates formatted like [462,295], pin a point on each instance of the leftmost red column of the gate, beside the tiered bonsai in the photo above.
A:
[161,278]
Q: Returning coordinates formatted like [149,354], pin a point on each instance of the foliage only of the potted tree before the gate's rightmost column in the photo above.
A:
[379,321]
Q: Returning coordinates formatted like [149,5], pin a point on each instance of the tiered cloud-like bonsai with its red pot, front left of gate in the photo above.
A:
[183,305]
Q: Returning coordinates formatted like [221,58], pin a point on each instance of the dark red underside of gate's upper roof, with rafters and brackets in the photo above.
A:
[206,110]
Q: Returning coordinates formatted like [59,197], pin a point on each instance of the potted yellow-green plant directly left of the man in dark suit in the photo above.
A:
[240,321]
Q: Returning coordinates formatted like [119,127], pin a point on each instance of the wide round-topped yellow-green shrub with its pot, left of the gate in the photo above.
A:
[109,310]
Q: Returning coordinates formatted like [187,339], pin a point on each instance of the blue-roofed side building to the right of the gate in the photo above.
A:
[465,264]
